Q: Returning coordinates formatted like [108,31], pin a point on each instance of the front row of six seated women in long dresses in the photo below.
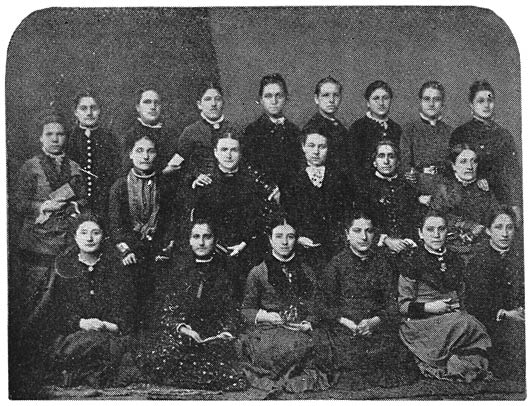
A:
[298,328]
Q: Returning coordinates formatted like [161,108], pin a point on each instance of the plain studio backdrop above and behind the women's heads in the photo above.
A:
[115,51]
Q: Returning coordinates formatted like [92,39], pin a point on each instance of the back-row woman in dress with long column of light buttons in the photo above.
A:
[94,148]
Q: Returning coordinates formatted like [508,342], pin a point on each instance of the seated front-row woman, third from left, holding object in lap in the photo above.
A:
[277,307]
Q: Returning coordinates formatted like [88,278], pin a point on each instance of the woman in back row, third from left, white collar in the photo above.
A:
[195,143]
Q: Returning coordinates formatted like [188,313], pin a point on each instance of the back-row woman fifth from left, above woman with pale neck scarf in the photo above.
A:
[328,96]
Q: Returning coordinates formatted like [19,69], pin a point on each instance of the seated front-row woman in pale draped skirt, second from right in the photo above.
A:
[448,342]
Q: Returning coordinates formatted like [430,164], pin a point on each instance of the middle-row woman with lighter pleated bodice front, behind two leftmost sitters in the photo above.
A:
[143,213]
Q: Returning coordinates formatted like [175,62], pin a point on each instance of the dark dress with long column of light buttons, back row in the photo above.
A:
[96,151]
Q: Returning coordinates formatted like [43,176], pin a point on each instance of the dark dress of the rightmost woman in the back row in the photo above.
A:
[499,159]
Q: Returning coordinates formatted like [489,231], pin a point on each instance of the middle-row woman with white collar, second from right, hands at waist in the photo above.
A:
[391,199]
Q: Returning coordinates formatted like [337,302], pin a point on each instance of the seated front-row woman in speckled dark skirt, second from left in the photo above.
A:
[193,304]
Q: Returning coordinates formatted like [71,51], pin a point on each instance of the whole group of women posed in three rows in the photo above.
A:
[274,257]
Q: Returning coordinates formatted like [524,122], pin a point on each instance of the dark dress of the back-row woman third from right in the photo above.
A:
[364,135]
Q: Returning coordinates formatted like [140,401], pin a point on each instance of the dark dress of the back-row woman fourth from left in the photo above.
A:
[273,149]
